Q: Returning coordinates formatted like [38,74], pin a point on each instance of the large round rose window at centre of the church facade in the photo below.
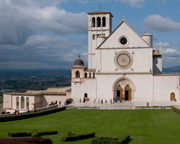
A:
[123,60]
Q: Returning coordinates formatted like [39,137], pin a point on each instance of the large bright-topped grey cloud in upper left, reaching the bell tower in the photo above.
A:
[21,19]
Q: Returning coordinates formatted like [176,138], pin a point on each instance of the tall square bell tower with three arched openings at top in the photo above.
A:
[99,24]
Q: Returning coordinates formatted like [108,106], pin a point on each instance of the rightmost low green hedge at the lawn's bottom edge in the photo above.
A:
[109,140]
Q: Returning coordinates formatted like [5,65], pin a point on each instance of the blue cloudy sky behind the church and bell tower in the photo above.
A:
[50,34]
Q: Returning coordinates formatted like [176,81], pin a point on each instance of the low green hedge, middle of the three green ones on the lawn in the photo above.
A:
[72,137]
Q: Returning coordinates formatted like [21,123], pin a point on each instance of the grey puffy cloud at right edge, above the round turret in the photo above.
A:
[159,23]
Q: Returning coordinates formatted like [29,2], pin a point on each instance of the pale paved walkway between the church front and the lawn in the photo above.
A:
[118,105]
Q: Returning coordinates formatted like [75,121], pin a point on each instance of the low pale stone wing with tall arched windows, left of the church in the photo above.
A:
[32,100]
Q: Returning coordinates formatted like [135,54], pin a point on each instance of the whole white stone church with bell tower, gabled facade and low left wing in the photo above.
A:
[122,65]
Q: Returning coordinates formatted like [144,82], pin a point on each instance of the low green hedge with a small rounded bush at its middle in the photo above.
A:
[34,133]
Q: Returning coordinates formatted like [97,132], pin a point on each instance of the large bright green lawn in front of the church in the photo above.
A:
[144,126]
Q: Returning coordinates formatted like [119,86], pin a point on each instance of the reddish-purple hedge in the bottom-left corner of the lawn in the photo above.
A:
[25,141]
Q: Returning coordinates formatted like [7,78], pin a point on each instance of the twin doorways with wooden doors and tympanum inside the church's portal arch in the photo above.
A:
[123,90]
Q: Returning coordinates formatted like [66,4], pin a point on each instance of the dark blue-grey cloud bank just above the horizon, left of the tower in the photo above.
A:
[42,52]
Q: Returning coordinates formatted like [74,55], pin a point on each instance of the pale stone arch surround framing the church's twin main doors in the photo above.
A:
[127,85]
